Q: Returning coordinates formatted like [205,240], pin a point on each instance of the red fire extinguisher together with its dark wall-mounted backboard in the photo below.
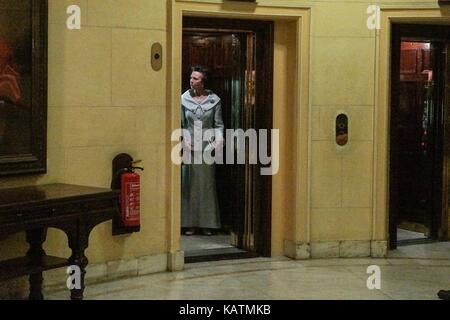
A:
[122,169]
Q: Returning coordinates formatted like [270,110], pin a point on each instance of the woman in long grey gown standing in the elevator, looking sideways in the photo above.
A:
[201,111]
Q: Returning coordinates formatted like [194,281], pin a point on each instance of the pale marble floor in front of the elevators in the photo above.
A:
[409,273]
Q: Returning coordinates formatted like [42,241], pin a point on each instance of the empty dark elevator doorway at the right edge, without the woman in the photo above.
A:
[419,134]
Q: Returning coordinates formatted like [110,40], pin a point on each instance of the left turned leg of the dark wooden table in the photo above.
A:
[36,238]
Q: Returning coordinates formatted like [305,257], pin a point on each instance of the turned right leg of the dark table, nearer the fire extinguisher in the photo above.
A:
[78,243]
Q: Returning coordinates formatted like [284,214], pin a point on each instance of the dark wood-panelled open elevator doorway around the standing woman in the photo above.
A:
[239,57]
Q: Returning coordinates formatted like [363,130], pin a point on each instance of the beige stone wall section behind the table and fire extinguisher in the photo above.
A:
[104,99]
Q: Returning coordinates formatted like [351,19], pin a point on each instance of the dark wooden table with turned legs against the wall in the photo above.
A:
[76,210]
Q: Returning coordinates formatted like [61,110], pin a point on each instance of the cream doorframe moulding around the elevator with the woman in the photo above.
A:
[251,11]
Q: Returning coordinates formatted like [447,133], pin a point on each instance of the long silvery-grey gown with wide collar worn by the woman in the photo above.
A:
[199,195]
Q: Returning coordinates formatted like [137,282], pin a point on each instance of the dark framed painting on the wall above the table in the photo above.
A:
[23,86]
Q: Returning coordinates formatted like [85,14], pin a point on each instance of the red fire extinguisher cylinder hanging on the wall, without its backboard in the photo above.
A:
[130,197]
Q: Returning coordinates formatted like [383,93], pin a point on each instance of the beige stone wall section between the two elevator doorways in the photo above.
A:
[343,62]
